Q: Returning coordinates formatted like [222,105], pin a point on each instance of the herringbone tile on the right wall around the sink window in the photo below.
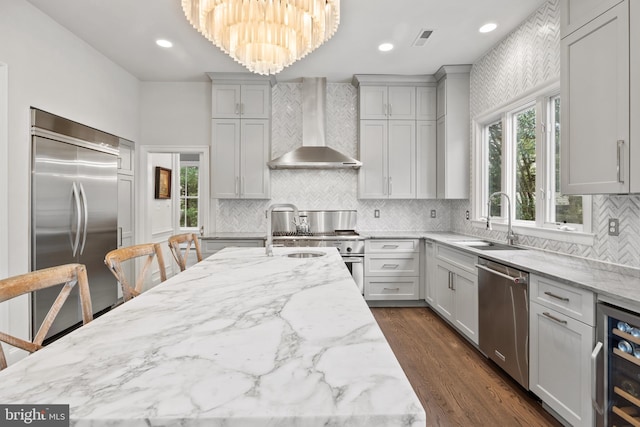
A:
[529,57]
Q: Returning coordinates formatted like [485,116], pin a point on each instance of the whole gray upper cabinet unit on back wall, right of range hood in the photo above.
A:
[397,137]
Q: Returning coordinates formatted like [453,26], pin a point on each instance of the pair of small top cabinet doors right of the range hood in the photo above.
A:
[388,102]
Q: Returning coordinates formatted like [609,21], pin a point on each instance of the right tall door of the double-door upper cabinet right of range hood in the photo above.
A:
[402,159]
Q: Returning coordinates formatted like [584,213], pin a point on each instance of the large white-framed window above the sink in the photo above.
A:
[519,155]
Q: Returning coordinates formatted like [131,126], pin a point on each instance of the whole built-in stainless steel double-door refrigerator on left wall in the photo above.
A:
[74,207]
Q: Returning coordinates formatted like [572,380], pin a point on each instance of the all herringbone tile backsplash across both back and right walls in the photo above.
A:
[527,58]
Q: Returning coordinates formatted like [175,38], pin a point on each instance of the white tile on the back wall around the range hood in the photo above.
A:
[325,189]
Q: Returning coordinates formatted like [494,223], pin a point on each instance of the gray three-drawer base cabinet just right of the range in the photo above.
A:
[392,269]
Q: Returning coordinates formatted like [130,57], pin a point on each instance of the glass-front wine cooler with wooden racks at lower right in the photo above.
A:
[616,367]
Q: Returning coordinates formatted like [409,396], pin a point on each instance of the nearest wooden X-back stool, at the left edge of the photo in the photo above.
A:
[69,275]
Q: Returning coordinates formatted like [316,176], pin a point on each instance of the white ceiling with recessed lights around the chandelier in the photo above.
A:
[125,31]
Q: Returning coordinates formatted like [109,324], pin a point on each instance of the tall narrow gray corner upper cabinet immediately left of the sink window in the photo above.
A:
[452,132]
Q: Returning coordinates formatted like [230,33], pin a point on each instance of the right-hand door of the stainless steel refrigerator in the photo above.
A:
[98,183]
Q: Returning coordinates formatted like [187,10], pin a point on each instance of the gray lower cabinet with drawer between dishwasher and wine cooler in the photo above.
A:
[560,348]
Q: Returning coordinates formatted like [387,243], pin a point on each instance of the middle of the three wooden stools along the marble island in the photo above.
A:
[116,257]
